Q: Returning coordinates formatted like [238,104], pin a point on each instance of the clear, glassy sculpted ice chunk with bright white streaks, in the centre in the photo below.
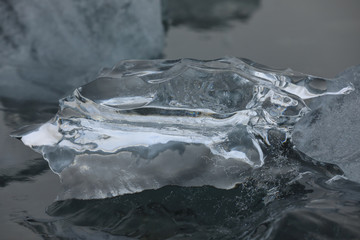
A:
[146,124]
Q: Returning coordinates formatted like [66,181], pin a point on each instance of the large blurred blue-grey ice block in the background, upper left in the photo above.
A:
[48,48]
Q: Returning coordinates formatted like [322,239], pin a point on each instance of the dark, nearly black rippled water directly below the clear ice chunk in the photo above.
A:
[275,202]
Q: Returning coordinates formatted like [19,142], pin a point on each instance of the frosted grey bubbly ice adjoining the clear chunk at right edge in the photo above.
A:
[330,132]
